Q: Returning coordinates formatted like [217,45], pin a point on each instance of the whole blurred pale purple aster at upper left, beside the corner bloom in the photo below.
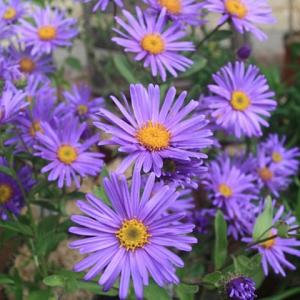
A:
[50,29]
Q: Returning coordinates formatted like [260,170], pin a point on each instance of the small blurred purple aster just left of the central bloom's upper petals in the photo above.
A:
[79,102]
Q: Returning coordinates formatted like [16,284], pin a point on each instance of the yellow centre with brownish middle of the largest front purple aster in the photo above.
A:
[133,234]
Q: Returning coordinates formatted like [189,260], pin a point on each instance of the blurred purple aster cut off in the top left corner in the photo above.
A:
[11,11]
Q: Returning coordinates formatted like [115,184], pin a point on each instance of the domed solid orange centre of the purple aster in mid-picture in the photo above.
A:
[154,136]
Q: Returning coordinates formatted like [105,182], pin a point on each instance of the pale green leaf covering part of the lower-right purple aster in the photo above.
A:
[263,222]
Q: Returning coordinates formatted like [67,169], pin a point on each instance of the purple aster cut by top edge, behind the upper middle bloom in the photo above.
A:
[184,11]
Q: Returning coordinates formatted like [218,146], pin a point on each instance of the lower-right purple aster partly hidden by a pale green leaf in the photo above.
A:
[274,249]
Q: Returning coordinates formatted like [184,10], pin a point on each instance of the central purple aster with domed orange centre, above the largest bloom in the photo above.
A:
[150,134]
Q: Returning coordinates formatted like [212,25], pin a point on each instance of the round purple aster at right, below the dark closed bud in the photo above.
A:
[241,98]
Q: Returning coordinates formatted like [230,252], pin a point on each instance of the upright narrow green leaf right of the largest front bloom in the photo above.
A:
[221,243]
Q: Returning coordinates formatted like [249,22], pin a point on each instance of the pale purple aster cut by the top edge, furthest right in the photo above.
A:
[244,14]
